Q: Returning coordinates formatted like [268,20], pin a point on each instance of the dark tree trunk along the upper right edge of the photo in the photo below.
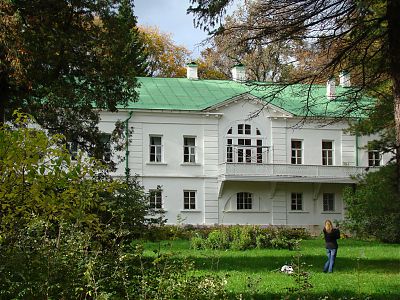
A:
[393,13]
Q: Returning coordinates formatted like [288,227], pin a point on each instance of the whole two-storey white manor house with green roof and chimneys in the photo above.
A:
[223,153]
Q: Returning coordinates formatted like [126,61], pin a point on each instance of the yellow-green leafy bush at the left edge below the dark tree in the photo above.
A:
[37,176]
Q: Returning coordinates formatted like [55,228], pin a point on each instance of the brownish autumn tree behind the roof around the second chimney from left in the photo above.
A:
[264,61]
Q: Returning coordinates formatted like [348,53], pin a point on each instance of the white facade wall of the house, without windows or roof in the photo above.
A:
[215,190]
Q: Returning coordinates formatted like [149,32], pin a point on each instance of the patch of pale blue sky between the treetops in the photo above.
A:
[170,17]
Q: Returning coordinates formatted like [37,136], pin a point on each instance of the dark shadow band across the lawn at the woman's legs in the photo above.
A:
[314,262]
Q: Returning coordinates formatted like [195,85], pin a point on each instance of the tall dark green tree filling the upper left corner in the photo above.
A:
[61,59]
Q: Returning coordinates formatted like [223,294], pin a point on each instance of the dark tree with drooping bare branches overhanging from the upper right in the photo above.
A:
[361,36]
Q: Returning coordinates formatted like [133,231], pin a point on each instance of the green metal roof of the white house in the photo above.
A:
[197,95]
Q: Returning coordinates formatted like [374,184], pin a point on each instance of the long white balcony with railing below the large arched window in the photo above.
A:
[289,173]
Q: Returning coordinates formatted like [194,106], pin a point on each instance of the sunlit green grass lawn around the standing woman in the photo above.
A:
[363,269]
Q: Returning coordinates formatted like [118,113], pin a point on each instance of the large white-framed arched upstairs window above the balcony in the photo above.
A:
[245,144]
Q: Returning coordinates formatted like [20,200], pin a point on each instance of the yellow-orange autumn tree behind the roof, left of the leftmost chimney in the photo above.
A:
[164,57]
